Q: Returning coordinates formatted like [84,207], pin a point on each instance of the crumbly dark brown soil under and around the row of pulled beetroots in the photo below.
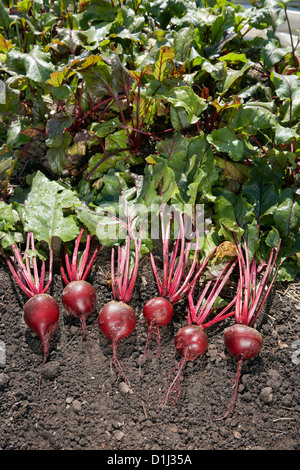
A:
[83,405]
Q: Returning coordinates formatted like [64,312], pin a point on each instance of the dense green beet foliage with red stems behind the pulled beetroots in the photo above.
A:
[158,102]
